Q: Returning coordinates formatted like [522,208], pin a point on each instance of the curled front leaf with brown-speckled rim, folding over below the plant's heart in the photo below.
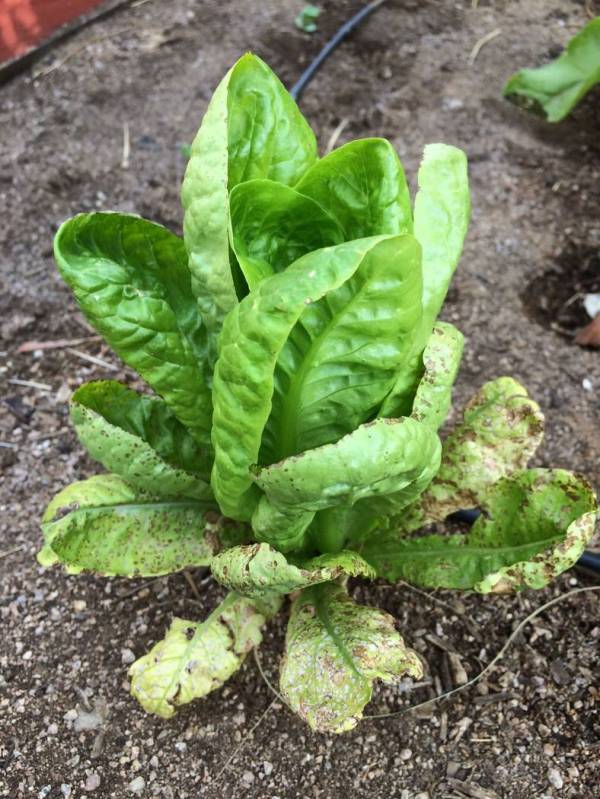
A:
[382,466]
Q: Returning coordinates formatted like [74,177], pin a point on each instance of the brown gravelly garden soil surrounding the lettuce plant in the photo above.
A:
[68,726]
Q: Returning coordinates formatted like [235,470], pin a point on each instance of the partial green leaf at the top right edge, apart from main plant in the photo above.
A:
[555,88]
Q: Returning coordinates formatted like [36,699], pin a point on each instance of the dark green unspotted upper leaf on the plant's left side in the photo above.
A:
[131,280]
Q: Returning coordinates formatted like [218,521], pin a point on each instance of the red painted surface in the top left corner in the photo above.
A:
[26,23]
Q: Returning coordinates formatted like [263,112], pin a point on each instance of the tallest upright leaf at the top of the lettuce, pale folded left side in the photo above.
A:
[252,129]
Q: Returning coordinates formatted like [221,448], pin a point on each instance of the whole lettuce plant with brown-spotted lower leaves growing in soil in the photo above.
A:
[299,379]
